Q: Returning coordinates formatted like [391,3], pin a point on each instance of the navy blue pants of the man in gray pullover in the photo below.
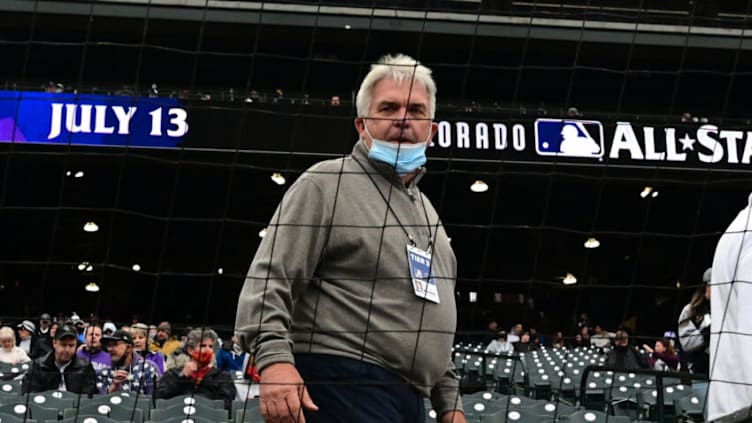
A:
[348,391]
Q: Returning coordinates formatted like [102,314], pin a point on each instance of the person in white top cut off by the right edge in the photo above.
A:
[730,390]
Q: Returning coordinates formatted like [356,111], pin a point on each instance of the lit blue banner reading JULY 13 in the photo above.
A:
[87,119]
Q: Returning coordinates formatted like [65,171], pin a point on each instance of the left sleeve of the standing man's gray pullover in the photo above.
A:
[286,258]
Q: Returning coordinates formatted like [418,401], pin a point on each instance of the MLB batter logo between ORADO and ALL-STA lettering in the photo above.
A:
[569,138]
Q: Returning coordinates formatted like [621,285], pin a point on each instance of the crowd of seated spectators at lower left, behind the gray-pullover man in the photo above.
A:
[93,358]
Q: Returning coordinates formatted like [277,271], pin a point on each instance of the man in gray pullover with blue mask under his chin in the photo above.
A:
[348,307]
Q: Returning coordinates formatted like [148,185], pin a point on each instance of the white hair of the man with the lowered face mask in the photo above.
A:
[400,68]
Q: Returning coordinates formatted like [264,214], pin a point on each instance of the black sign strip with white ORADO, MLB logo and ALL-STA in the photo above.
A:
[583,141]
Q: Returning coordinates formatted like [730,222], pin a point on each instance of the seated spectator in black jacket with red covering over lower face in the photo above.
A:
[198,376]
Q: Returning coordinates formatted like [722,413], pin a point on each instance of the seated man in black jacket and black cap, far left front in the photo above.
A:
[61,368]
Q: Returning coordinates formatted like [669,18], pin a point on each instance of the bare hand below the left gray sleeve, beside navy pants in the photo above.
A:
[283,394]
